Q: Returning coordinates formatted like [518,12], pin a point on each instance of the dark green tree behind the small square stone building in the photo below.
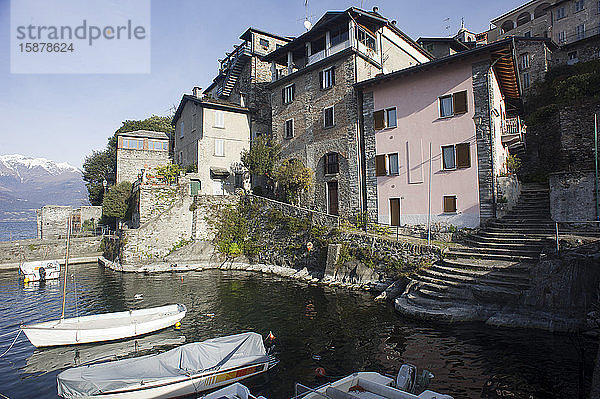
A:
[101,165]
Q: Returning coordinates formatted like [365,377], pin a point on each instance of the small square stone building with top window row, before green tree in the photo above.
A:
[140,152]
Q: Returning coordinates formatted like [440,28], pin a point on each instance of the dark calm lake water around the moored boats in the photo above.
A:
[346,332]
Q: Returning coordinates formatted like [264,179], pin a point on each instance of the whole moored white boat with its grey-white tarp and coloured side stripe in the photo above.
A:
[186,370]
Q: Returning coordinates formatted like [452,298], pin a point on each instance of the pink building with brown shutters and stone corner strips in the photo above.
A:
[434,137]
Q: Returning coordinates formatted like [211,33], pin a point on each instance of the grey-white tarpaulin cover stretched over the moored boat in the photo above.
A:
[186,360]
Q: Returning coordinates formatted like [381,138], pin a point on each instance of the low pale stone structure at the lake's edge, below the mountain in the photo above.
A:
[52,220]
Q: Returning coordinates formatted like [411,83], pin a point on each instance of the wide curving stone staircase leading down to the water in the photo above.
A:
[491,273]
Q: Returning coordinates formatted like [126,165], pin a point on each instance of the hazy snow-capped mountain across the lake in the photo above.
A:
[28,183]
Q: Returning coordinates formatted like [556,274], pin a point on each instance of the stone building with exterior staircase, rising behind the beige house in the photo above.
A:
[243,76]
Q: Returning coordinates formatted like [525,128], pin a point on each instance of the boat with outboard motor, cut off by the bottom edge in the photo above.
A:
[372,385]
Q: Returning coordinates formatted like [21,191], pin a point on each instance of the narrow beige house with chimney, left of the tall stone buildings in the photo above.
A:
[212,134]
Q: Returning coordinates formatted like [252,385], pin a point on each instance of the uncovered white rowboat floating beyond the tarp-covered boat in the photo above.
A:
[104,326]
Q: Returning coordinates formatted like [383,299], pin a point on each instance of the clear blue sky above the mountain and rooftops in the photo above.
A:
[65,117]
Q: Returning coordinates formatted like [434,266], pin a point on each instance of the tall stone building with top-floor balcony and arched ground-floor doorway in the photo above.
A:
[314,104]
